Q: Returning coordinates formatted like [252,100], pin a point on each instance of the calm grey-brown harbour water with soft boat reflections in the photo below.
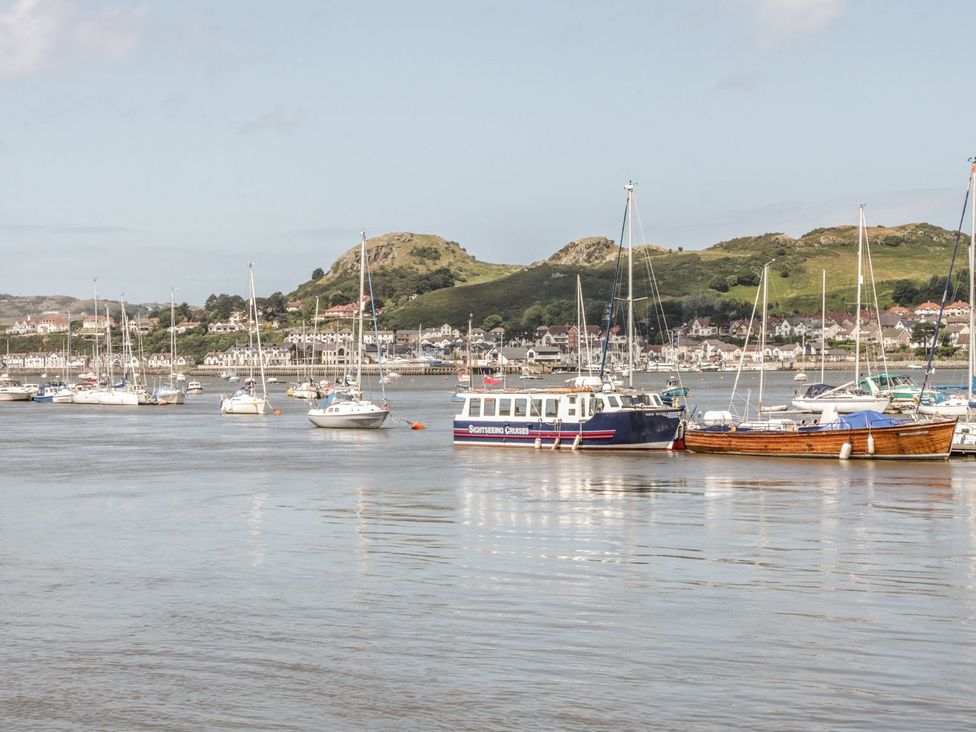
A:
[173,569]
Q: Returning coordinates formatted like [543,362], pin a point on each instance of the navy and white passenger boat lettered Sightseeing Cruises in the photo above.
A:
[566,417]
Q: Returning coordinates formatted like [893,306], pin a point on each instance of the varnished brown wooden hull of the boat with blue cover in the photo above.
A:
[910,441]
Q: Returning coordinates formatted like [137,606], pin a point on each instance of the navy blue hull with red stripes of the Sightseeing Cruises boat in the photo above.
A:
[637,429]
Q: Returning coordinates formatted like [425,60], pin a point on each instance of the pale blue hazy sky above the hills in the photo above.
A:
[167,143]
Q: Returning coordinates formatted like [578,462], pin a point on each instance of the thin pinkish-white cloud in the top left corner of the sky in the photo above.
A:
[36,35]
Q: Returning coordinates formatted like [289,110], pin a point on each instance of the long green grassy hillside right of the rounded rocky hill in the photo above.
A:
[720,278]
